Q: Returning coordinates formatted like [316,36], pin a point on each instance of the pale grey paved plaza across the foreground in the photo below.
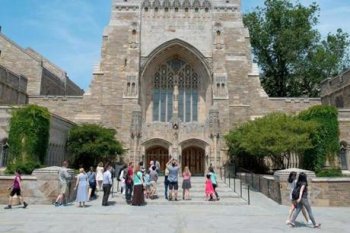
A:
[263,215]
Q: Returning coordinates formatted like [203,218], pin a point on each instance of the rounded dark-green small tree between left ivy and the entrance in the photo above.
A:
[90,143]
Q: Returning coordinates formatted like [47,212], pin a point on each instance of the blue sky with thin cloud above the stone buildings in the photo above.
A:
[69,32]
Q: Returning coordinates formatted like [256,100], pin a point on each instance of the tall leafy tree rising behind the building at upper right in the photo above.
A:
[289,50]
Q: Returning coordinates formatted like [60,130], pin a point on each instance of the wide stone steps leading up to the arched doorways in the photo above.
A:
[226,194]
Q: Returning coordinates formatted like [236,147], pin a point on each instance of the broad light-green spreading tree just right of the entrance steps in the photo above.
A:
[276,136]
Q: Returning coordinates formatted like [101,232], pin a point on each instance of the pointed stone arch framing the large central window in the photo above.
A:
[175,49]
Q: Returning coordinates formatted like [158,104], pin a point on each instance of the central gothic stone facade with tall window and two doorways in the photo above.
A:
[174,77]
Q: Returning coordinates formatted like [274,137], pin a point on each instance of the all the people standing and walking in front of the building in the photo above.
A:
[137,183]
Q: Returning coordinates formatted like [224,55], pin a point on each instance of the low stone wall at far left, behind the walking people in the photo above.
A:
[42,187]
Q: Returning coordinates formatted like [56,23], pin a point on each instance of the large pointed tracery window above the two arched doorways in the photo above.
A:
[175,72]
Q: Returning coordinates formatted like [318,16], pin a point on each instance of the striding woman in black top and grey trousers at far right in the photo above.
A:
[303,201]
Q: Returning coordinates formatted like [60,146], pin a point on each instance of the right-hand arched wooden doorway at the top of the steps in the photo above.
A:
[193,157]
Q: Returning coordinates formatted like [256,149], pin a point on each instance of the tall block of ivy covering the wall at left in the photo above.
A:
[28,138]
